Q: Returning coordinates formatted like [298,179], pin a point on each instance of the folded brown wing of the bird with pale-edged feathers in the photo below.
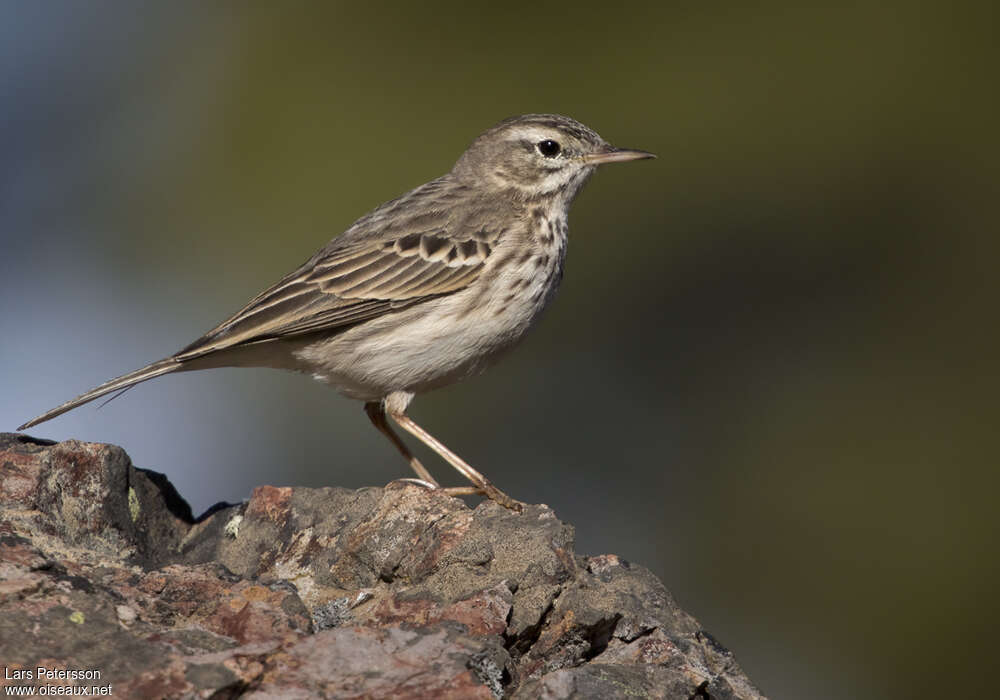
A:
[353,282]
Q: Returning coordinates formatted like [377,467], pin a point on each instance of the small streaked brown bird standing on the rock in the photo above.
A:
[425,290]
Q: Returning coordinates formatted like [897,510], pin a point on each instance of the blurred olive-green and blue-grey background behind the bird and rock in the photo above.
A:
[770,375]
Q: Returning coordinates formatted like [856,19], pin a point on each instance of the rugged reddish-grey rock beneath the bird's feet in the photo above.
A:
[298,593]
